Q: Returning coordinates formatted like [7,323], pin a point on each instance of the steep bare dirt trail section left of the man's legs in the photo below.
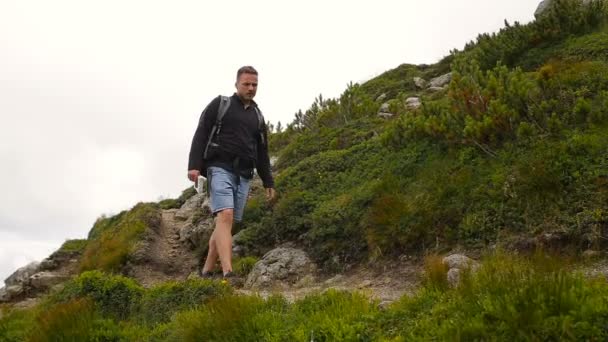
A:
[167,258]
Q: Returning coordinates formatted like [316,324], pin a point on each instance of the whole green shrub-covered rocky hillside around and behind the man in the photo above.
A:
[499,151]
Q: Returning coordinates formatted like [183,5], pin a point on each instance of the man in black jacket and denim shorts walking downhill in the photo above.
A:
[237,147]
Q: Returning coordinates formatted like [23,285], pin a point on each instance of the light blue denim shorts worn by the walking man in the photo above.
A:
[225,193]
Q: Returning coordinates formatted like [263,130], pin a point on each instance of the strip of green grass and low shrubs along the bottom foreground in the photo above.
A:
[507,298]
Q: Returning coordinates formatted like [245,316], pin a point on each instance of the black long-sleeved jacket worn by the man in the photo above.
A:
[239,137]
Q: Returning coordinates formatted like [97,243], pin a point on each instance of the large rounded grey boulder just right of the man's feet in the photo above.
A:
[280,266]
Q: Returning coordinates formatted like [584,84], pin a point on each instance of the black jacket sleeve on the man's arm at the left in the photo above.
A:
[201,135]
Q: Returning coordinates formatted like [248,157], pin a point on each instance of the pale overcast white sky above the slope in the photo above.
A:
[99,99]
